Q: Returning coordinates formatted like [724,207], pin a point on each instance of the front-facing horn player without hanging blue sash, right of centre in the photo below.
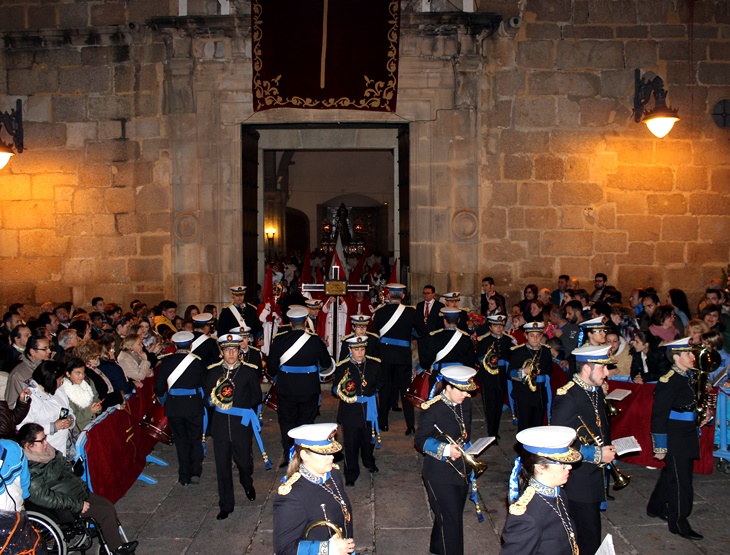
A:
[493,352]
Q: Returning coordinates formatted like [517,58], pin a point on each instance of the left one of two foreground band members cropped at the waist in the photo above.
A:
[313,496]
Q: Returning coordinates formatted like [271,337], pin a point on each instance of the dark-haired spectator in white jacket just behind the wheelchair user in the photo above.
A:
[50,407]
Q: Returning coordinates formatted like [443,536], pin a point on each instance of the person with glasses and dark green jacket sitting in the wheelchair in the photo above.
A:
[53,485]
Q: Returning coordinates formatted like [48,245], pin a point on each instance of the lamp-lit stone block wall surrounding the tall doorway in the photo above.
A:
[525,161]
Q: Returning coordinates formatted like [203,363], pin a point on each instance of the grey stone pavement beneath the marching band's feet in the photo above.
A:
[390,508]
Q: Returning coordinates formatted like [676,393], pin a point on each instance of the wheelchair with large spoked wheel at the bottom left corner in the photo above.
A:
[63,532]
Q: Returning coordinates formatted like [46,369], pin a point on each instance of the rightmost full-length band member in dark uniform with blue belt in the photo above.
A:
[676,441]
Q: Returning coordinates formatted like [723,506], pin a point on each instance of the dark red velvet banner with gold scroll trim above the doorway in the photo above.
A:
[325,54]
